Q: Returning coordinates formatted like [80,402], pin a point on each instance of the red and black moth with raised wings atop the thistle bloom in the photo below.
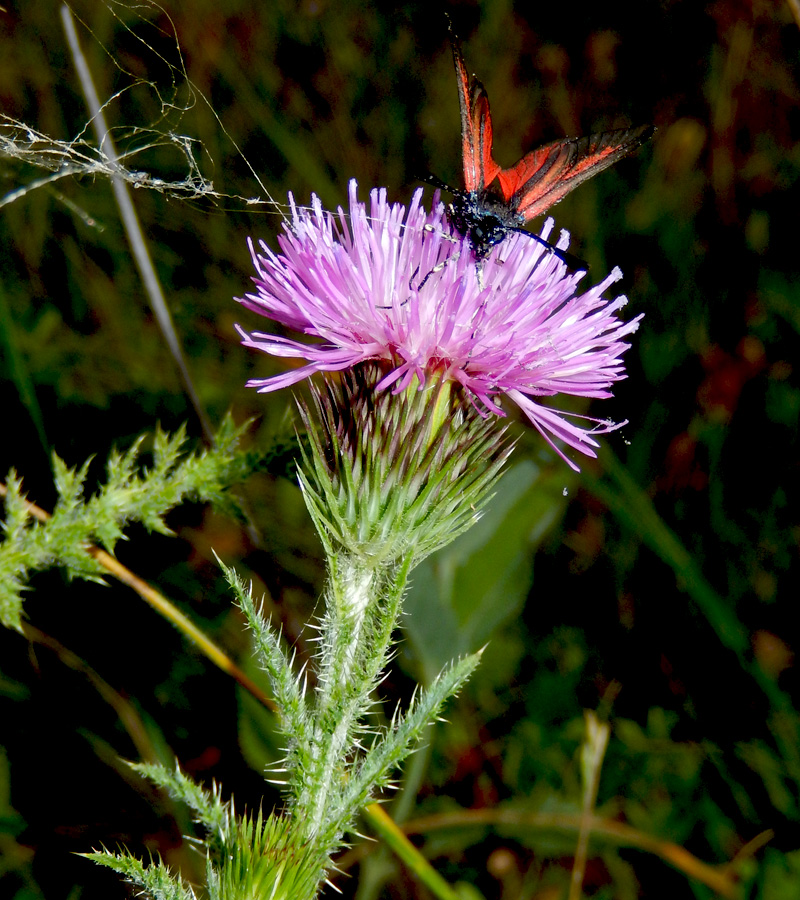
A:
[496,201]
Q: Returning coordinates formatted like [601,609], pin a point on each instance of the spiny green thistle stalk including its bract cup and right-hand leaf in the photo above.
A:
[377,517]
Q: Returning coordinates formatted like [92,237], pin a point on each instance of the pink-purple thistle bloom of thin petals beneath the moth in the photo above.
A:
[393,285]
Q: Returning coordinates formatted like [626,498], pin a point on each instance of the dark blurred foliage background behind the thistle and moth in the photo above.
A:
[655,587]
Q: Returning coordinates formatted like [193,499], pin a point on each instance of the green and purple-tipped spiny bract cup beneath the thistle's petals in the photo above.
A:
[391,475]
